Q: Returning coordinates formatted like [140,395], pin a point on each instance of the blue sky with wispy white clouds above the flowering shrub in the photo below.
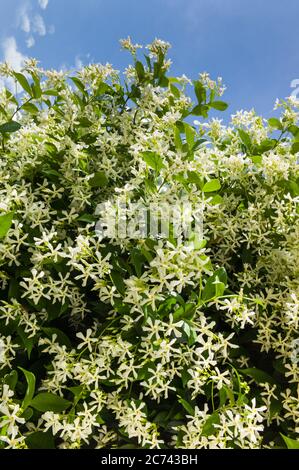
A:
[252,44]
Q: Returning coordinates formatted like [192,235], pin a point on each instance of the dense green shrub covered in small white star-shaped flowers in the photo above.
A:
[188,341]
